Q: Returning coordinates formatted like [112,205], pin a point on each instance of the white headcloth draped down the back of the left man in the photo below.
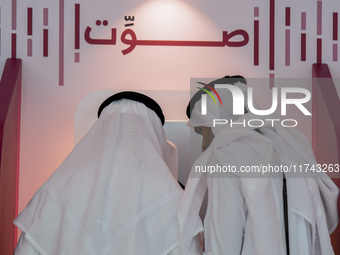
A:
[113,194]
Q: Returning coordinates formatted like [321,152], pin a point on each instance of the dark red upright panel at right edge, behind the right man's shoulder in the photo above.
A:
[326,127]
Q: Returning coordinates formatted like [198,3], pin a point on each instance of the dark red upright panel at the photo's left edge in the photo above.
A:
[10,97]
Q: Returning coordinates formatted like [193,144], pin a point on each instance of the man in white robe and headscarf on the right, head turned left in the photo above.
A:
[255,214]
